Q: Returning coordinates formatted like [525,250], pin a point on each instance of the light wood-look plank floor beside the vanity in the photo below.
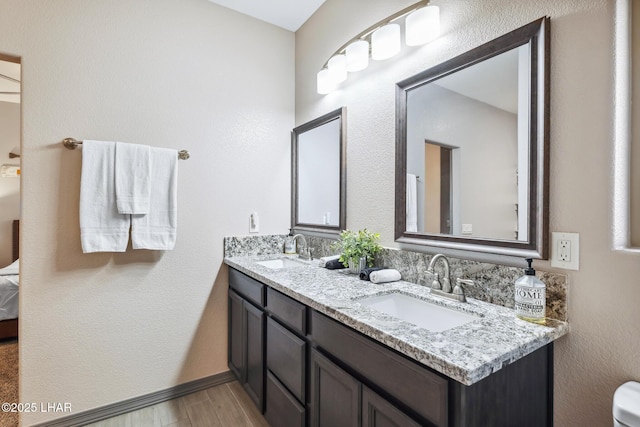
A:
[226,405]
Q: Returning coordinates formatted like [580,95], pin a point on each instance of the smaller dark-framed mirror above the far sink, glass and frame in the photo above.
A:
[319,174]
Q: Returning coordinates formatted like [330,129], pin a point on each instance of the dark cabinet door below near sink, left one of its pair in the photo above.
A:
[335,395]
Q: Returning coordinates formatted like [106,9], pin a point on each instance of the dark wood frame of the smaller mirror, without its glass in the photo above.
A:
[339,114]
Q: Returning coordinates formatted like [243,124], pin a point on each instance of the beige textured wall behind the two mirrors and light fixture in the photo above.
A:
[602,348]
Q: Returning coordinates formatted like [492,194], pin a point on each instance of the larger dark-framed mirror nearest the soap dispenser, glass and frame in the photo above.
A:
[472,156]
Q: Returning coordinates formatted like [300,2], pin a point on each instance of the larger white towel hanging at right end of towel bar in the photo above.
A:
[157,229]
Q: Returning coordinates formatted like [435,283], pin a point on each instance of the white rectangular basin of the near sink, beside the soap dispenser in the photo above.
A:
[424,314]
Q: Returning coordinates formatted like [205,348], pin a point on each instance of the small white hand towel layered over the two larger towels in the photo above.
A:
[132,176]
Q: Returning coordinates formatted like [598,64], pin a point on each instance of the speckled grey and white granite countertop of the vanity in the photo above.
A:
[466,353]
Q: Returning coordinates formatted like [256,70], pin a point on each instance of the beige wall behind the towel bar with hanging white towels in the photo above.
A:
[101,328]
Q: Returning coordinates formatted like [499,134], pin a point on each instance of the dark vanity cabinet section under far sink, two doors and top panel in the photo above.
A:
[246,334]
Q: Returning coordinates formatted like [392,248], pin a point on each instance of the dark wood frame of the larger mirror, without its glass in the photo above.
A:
[537,34]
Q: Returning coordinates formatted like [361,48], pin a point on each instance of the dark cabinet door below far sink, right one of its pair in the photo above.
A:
[254,345]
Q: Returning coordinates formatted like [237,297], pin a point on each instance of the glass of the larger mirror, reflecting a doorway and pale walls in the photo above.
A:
[467,138]
